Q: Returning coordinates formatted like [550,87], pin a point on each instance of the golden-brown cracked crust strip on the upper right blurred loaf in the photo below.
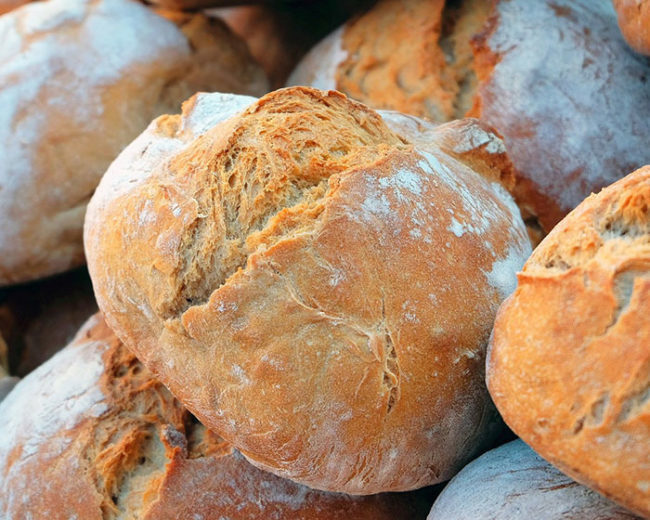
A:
[422,63]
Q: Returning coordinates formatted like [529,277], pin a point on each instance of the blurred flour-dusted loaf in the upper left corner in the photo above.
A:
[79,79]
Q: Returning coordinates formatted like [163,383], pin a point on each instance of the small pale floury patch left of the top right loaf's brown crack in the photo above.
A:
[318,68]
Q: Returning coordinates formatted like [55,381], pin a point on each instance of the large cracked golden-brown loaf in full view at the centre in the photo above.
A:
[314,282]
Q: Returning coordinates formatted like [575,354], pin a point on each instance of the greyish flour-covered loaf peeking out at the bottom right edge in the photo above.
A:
[513,482]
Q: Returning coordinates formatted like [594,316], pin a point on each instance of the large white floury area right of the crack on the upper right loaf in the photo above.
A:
[572,81]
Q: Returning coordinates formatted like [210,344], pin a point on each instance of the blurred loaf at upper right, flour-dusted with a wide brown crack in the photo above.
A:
[553,76]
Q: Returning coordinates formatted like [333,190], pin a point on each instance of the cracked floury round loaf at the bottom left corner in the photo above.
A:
[92,435]
